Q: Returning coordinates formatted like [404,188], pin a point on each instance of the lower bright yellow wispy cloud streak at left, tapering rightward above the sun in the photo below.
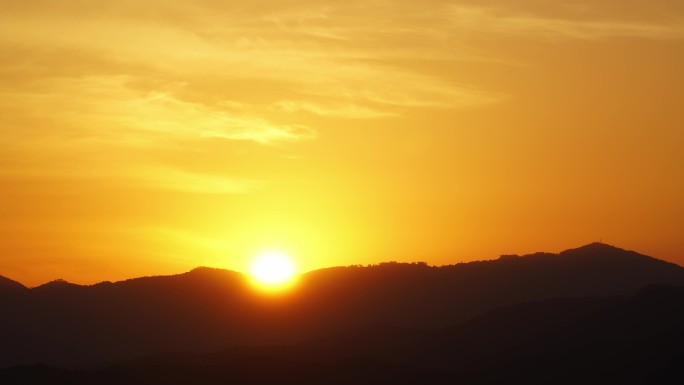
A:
[110,109]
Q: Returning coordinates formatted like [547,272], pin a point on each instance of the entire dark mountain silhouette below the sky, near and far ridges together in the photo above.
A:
[522,315]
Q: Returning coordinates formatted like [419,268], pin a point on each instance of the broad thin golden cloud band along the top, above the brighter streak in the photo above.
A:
[293,53]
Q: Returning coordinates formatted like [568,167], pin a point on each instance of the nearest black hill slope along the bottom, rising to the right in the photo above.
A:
[633,340]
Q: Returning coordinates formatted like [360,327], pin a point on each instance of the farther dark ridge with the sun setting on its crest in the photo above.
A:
[209,309]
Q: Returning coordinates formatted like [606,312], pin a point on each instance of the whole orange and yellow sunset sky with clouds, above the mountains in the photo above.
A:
[145,138]
